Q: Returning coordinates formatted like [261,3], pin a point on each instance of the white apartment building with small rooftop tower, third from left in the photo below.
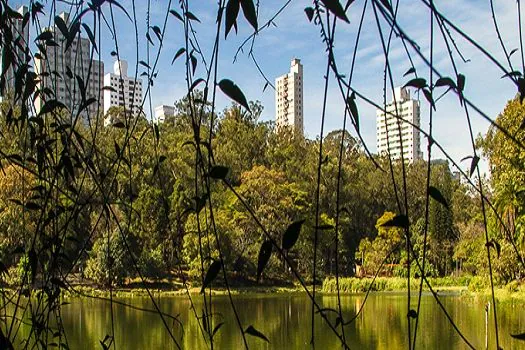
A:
[125,91]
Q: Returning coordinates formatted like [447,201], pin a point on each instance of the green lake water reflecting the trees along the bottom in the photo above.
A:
[285,320]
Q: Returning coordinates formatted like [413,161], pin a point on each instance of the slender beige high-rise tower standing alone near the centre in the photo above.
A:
[289,99]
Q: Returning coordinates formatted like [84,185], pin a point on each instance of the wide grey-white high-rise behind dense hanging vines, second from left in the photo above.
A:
[64,71]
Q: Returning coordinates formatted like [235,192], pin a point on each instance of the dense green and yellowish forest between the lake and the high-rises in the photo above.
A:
[266,175]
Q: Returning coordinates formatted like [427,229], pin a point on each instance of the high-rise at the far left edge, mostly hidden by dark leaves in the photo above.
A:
[18,41]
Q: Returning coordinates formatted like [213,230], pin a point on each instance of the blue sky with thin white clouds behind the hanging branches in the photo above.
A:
[293,36]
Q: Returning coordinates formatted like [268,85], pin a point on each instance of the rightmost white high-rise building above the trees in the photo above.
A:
[389,141]
